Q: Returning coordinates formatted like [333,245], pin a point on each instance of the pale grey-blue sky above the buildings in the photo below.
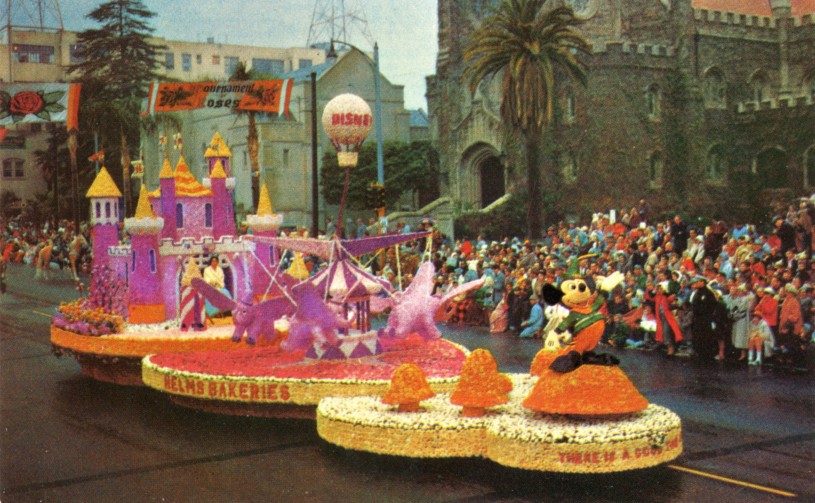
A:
[406,30]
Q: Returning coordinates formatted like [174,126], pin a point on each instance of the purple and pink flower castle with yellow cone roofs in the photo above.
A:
[182,220]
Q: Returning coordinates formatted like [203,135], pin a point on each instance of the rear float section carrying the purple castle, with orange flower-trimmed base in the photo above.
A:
[140,299]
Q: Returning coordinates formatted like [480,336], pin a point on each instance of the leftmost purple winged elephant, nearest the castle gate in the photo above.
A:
[249,318]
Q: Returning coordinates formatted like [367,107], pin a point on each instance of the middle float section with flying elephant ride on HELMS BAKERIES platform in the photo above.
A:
[329,347]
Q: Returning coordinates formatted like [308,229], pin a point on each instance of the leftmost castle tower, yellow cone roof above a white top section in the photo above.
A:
[104,196]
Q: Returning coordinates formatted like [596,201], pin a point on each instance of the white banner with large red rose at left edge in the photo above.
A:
[43,102]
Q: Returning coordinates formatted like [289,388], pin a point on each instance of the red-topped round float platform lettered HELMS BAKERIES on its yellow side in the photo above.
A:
[265,375]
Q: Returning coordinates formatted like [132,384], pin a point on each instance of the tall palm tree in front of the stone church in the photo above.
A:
[526,42]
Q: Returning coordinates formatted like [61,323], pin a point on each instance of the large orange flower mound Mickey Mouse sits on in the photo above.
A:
[590,390]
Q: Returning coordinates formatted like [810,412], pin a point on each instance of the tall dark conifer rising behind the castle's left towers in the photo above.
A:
[117,61]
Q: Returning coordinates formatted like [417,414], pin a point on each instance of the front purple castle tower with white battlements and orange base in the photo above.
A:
[146,300]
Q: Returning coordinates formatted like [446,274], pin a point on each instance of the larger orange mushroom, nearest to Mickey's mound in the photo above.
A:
[480,385]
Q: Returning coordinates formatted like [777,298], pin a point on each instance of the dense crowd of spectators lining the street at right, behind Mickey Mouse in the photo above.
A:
[720,291]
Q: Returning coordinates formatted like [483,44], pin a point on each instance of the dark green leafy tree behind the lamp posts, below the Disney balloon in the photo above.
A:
[410,168]
